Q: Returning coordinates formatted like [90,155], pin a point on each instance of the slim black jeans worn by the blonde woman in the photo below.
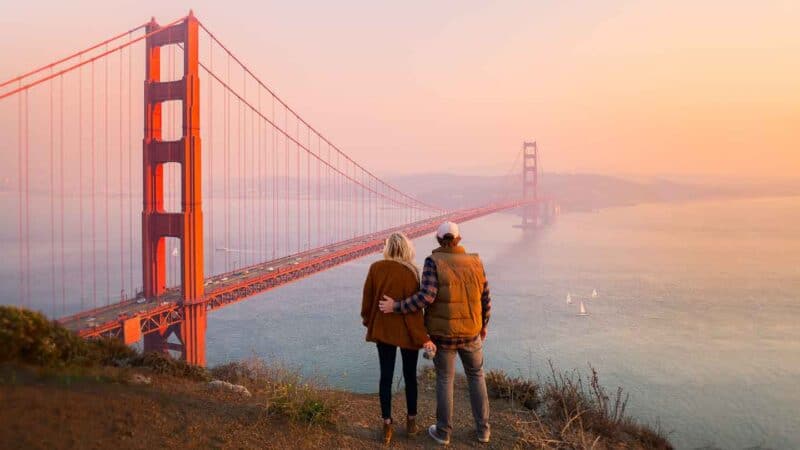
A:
[387,354]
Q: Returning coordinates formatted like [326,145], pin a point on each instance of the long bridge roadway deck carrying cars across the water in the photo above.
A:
[237,285]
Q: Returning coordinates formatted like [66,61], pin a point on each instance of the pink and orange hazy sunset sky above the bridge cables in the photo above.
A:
[617,87]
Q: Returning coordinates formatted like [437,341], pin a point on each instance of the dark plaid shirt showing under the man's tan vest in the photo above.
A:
[427,295]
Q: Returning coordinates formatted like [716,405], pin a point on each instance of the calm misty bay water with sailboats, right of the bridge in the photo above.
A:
[696,314]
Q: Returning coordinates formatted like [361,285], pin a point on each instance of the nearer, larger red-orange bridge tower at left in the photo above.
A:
[186,225]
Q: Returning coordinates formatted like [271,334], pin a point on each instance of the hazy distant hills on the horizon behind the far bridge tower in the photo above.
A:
[582,191]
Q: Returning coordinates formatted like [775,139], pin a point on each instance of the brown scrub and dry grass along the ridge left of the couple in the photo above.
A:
[30,338]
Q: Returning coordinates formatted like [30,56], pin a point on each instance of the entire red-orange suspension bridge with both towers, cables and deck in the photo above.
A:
[269,199]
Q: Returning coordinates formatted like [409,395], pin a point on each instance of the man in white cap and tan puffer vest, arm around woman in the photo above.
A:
[456,299]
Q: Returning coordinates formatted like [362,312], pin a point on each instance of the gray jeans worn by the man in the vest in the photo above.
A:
[472,360]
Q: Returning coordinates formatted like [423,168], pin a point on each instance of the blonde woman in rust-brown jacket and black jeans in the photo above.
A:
[398,277]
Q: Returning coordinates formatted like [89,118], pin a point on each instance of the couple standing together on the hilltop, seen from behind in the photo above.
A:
[456,302]
